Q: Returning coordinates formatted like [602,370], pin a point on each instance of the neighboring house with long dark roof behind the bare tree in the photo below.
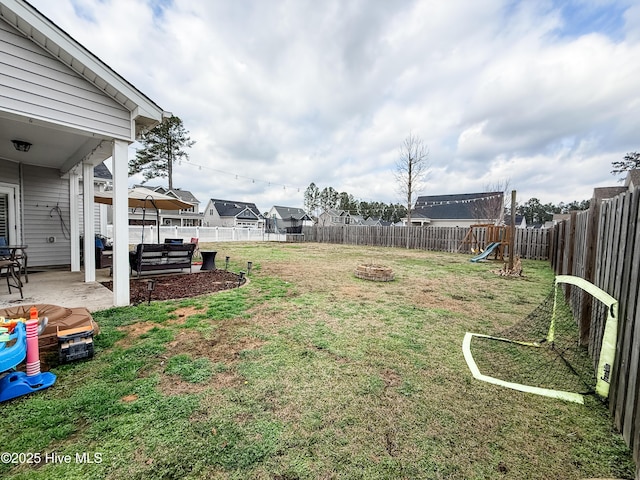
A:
[461,210]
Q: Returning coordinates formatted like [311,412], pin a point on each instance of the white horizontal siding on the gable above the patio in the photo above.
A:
[35,84]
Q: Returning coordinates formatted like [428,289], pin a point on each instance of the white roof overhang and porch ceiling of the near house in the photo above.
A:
[64,146]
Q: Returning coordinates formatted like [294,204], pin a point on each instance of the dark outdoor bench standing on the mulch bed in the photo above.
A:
[148,257]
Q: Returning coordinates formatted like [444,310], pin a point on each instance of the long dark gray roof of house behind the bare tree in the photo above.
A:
[458,206]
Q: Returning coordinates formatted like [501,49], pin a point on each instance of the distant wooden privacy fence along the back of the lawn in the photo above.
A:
[530,243]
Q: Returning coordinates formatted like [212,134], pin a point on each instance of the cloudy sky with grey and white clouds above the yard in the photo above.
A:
[542,95]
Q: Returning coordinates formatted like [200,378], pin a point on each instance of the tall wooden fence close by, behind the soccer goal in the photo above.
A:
[602,245]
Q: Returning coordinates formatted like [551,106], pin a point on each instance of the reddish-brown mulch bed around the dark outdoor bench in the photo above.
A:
[181,285]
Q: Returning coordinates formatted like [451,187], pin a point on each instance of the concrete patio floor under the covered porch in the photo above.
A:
[60,287]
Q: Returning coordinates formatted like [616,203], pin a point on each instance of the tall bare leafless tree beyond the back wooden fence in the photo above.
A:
[411,170]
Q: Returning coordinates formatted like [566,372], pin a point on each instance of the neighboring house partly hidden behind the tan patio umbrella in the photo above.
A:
[190,217]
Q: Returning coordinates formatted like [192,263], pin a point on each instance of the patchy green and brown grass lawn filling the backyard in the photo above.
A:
[308,372]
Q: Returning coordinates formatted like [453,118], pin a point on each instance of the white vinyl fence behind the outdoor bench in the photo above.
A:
[149,234]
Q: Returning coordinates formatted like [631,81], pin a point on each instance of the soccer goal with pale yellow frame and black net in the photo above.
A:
[541,354]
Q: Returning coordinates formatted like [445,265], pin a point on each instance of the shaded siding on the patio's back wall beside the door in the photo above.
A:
[46,214]
